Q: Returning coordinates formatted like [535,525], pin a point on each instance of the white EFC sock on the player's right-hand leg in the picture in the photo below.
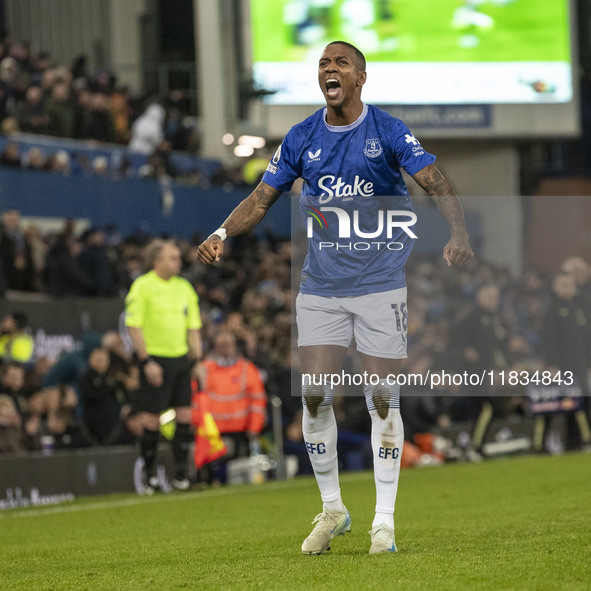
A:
[387,440]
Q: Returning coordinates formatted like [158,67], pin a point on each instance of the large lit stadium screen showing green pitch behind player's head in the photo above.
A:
[419,51]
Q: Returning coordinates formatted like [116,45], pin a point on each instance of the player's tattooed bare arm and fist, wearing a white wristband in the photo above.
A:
[246,216]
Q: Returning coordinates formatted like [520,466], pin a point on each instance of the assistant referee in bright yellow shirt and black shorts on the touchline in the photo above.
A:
[162,317]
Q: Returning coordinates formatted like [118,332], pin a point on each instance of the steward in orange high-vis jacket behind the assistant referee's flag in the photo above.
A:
[234,387]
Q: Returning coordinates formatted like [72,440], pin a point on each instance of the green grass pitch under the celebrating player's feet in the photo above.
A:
[521,523]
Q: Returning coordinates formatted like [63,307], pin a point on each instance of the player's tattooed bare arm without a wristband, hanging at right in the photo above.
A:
[457,251]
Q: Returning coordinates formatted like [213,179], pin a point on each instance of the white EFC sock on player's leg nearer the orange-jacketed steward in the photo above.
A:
[320,435]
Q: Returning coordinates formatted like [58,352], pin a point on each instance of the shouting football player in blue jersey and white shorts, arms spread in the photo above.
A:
[349,155]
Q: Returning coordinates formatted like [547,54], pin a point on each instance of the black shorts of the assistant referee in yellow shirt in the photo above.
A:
[175,390]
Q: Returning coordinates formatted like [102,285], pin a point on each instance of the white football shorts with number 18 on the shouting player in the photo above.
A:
[378,321]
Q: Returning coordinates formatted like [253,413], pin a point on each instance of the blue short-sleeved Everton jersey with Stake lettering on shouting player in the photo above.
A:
[355,205]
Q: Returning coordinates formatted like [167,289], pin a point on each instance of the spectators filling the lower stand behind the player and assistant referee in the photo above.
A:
[479,318]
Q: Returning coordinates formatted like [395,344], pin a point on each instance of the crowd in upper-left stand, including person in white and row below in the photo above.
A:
[41,98]
